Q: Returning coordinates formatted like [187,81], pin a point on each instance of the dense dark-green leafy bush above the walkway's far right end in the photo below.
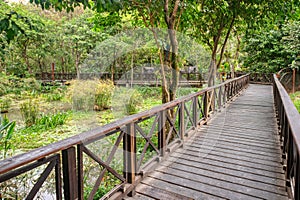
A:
[273,49]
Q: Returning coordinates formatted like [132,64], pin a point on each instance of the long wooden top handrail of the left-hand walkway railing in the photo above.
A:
[36,154]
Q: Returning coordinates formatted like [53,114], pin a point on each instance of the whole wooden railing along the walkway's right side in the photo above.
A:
[289,126]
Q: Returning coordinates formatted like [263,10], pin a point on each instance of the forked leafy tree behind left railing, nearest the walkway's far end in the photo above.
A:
[212,22]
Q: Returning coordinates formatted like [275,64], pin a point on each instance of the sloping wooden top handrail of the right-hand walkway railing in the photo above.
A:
[292,113]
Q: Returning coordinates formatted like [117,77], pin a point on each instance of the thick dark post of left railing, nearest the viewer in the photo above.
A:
[70,174]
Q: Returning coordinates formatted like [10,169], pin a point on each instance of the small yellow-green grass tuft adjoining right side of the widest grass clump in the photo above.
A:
[103,94]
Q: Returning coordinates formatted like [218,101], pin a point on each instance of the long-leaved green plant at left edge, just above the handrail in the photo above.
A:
[6,133]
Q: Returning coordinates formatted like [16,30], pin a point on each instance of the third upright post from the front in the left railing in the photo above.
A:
[162,133]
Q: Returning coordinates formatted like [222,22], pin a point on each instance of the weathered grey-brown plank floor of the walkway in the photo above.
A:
[236,156]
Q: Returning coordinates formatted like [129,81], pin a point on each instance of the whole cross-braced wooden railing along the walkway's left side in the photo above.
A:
[136,144]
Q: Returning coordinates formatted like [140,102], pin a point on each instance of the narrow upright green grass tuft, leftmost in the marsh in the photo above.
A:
[30,112]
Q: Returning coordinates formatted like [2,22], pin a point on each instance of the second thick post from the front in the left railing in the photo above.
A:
[129,152]
